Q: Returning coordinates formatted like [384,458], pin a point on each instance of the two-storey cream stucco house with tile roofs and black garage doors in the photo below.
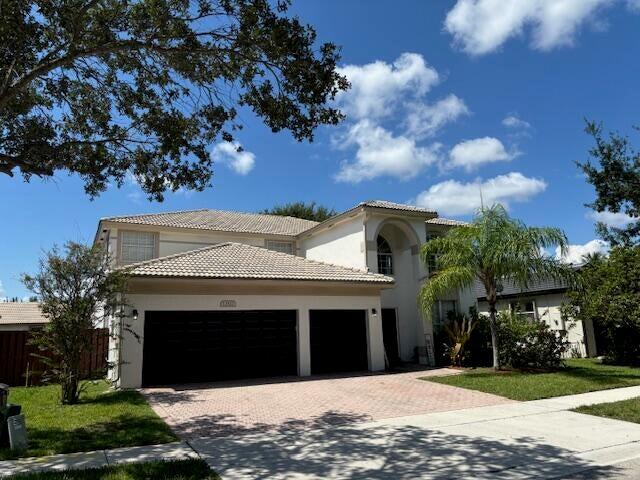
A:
[223,295]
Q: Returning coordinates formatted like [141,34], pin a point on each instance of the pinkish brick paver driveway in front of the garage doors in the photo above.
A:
[218,409]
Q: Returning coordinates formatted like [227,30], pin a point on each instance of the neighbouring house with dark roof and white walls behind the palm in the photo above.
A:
[542,301]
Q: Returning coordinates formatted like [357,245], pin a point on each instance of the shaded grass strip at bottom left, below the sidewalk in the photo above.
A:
[177,470]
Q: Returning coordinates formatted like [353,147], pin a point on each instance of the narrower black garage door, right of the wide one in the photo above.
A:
[338,341]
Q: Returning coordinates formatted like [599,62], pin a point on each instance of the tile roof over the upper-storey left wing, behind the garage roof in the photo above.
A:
[220,220]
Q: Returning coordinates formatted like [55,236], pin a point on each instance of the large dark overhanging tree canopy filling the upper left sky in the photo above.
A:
[103,88]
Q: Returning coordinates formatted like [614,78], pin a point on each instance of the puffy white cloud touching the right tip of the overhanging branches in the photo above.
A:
[377,87]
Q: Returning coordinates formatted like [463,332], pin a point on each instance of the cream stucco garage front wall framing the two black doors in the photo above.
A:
[132,349]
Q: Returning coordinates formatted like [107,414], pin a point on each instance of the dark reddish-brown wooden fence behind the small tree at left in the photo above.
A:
[19,367]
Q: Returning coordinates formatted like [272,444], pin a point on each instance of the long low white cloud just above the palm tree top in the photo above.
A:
[455,198]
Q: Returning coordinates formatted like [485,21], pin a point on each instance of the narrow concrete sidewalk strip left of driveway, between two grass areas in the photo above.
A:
[99,458]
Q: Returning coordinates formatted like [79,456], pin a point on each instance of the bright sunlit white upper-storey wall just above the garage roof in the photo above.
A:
[342,244]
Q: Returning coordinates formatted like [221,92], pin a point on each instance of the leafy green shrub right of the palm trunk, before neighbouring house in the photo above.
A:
[529,344]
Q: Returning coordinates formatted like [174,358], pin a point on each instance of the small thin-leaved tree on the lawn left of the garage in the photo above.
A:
[76,289]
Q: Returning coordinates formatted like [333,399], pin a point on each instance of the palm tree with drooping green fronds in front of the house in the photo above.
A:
[492,249]
